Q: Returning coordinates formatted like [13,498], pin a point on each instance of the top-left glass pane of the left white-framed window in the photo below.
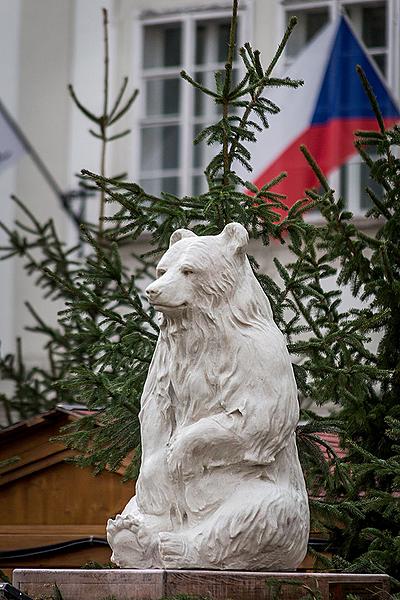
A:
[162,45]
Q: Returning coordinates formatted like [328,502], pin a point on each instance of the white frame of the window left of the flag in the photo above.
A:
[186,119]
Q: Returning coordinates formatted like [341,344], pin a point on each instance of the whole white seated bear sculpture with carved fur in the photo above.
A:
[220,485]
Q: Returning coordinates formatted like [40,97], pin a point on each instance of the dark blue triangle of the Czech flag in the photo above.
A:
[342,95]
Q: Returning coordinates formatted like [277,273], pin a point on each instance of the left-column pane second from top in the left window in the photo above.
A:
[163,97]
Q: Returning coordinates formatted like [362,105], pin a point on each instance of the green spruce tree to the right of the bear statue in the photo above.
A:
[359,508]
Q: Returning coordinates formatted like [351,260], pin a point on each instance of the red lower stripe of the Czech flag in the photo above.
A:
[331,144]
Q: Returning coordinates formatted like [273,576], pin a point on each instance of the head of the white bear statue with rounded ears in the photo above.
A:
[199,272]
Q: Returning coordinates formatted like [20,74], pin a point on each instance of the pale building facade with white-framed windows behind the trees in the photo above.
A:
[50,43]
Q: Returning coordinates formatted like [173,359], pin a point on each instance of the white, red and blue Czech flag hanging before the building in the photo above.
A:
[323,114]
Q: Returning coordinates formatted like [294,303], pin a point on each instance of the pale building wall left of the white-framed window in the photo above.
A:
[48,44]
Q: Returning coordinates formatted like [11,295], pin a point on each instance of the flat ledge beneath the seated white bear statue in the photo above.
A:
[152,584]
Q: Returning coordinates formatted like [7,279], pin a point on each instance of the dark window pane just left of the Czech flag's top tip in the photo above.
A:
[310,22]
